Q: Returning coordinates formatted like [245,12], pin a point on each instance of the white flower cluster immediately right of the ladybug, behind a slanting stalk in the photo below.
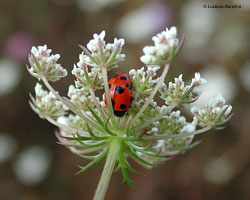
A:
[143,81]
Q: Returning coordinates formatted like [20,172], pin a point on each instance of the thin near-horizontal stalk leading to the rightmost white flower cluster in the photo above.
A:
[186,134]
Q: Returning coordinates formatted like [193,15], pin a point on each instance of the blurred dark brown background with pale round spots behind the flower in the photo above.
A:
[34,167]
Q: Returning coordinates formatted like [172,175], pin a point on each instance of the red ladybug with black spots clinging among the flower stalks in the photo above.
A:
[121,93]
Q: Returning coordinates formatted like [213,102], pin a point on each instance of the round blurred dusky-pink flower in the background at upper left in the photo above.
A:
[18,45]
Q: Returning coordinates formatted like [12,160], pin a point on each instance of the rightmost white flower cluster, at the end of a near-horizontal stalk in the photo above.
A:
[215,114]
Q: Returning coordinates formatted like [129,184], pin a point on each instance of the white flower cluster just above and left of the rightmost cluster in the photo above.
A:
[179,93]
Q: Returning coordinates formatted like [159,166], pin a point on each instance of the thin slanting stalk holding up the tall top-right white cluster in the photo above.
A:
[157,87]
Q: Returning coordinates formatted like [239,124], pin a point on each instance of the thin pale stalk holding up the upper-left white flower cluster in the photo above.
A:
[69,105]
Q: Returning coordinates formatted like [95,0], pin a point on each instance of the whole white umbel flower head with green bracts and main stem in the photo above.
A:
[149,133]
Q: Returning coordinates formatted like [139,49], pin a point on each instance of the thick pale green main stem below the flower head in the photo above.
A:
[108,170]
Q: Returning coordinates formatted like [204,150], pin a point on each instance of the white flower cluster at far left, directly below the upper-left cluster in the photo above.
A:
[46,105]
